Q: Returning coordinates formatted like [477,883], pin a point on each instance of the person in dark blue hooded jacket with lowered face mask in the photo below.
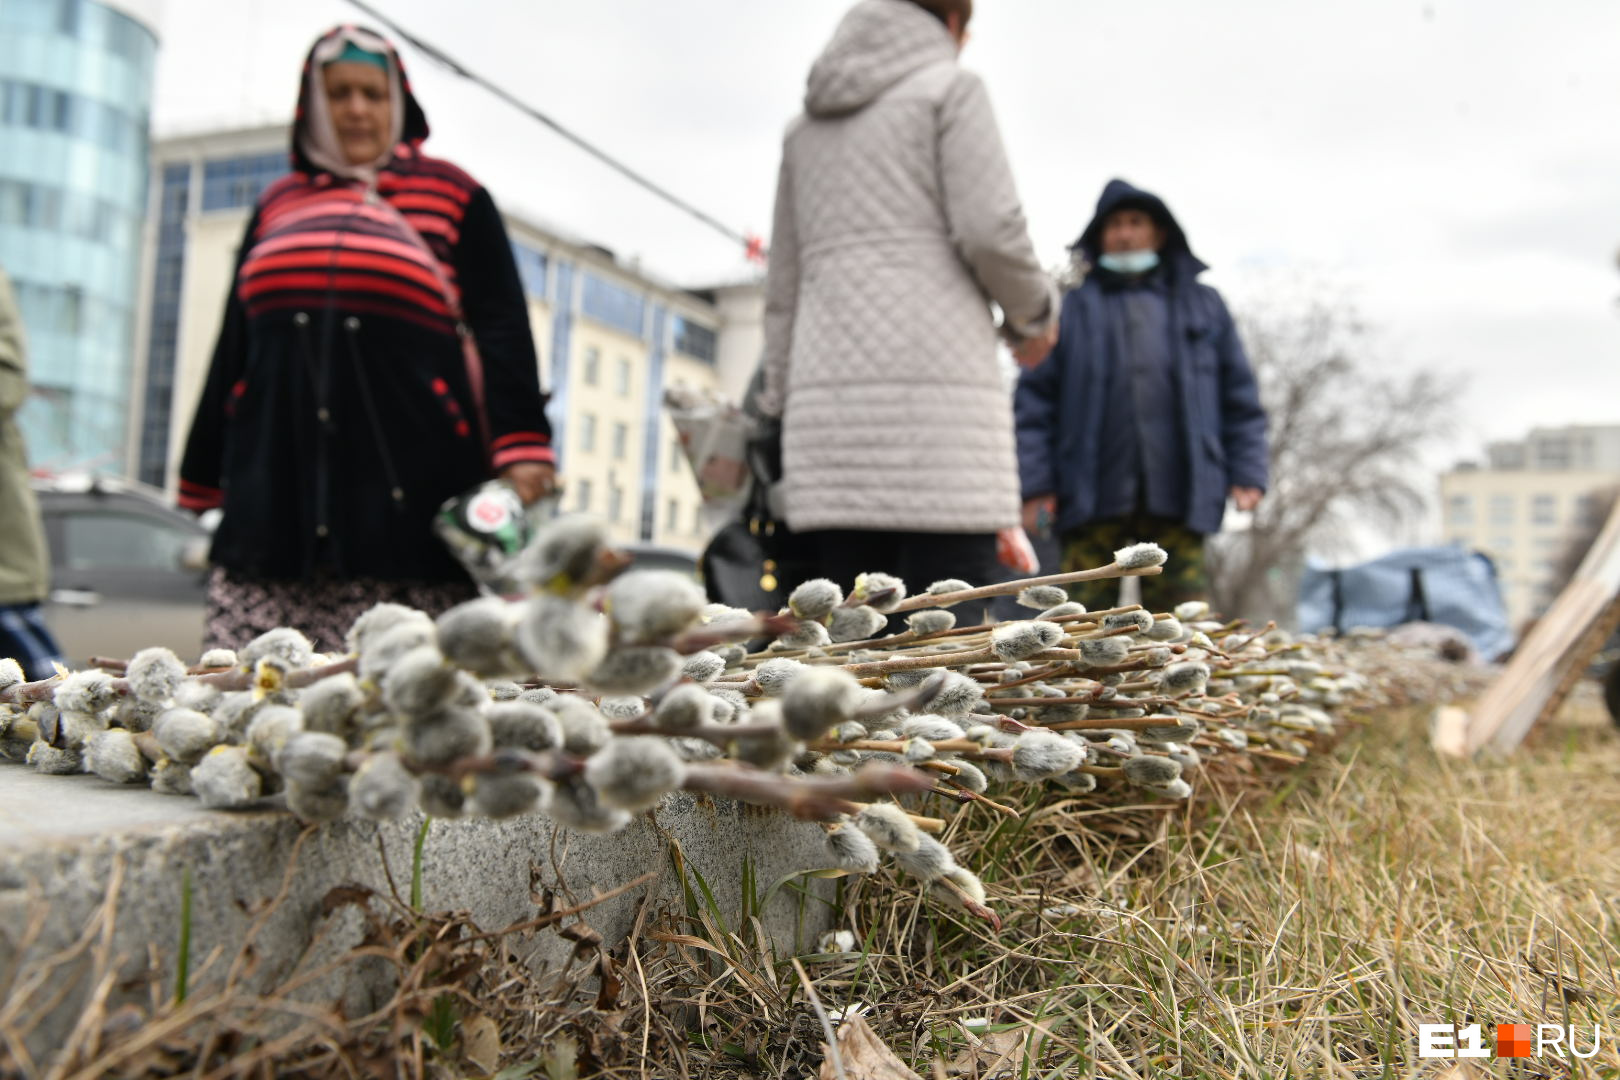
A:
[1146,417]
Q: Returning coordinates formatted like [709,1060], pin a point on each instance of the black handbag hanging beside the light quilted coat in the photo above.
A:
[743,564]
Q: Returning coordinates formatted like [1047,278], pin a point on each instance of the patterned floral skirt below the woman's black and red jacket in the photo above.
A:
[242,608]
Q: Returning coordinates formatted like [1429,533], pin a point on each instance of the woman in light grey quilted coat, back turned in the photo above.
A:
[897,226]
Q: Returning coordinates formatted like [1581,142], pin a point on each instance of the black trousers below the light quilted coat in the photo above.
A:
[919,559]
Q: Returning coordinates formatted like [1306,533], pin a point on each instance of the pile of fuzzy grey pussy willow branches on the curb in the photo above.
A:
[608,687]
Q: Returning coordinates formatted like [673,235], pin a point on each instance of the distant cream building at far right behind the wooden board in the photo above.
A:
[1538,498]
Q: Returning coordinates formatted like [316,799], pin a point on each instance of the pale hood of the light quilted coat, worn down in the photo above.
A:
[876,46]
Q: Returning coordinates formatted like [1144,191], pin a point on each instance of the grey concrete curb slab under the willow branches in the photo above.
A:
[62,840]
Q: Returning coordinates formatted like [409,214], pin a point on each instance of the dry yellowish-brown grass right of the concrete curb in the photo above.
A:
[1297,929]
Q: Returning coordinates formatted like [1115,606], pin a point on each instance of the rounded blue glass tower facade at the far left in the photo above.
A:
[75,90]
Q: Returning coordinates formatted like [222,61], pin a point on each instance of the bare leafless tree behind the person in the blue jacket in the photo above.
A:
[1347,444]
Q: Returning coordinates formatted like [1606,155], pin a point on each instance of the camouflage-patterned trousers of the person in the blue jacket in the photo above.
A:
[1094,545]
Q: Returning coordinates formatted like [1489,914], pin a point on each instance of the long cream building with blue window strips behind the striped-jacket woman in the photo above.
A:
[610,338]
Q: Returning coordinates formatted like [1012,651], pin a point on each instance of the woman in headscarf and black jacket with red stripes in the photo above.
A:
[341,409]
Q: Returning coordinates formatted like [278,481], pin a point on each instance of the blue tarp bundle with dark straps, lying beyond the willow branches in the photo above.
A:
[1446,585]
